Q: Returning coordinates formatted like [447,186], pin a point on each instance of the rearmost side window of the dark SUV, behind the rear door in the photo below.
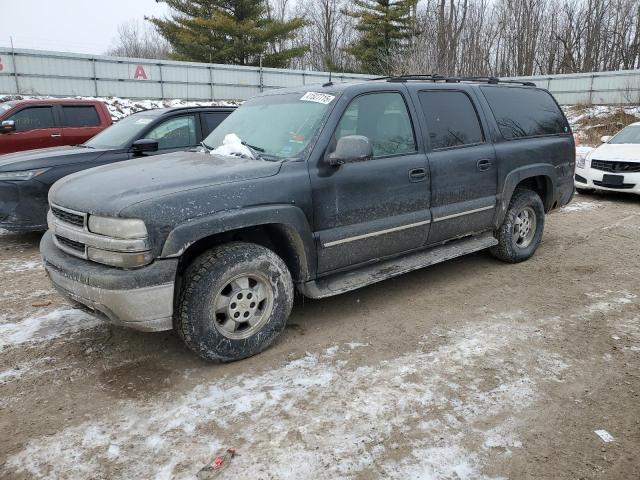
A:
[525,112]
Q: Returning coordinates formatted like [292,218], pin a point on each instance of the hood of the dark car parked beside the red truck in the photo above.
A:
[46,157]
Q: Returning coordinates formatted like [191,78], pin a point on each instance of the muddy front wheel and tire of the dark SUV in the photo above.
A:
[234,302]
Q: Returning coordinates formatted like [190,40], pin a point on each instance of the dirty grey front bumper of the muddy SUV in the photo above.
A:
[141,299]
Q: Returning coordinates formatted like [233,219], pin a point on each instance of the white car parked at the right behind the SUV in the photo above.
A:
[614,165]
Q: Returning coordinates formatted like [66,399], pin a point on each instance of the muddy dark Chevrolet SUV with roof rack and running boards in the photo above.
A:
[321,190]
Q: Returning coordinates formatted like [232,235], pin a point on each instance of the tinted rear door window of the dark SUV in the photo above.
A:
[452,121]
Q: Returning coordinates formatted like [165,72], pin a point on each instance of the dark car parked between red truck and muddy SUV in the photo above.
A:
[25,177]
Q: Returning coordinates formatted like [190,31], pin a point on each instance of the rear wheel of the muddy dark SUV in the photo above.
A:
[521,231]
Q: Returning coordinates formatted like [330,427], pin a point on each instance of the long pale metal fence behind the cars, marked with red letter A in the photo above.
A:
[41,72]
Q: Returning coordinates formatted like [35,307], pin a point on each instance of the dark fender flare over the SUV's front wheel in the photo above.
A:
[289,217]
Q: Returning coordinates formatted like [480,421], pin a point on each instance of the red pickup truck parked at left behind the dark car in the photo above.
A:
[29,124]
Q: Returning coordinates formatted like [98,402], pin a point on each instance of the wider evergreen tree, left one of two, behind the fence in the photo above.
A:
[228,31]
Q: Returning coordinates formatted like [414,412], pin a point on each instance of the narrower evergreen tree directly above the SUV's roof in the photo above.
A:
[384,27]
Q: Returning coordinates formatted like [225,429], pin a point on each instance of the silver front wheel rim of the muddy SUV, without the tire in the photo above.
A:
[243,305]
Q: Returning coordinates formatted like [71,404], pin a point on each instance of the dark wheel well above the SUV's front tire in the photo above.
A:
[281,239]
